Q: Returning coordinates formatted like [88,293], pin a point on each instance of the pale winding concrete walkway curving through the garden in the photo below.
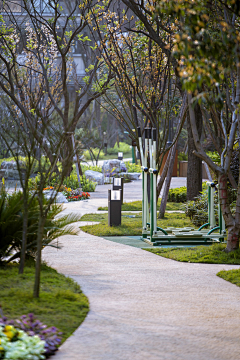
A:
[145,307]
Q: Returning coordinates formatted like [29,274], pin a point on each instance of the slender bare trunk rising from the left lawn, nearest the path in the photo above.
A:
[38,257]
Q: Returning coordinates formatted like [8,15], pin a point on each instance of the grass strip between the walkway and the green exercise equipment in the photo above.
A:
[212,254]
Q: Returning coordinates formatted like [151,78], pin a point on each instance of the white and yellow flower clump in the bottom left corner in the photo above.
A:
[17,345]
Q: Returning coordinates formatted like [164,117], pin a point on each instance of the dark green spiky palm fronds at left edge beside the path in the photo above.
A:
[11,225]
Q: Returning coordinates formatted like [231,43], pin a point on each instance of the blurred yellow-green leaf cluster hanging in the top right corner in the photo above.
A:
[205,42]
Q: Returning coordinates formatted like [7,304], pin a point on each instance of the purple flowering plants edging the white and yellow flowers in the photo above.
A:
[33,327]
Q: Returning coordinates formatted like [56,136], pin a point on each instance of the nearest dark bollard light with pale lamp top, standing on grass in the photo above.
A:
[114,207]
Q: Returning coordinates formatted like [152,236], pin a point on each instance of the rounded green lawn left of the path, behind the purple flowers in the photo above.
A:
[61,303]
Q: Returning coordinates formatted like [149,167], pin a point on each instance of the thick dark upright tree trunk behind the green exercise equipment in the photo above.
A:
[194,172]
